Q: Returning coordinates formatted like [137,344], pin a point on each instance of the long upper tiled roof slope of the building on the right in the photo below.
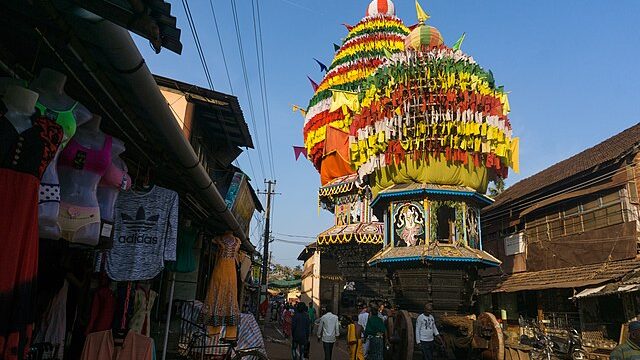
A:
[606,151]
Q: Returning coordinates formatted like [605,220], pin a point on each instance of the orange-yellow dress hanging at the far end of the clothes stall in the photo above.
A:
[221,303]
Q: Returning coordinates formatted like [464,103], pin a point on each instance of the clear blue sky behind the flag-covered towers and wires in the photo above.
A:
[571,67]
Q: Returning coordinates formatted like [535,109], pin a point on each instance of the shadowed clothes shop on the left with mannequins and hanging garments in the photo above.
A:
[112,211]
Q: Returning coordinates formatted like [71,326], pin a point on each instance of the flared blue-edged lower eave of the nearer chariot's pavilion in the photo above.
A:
[435,252]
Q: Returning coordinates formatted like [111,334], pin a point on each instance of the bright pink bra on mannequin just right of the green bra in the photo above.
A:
[82,158]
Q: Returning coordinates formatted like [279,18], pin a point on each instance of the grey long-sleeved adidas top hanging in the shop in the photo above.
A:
[145,233]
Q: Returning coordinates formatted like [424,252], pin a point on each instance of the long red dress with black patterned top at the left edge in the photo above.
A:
[23,158]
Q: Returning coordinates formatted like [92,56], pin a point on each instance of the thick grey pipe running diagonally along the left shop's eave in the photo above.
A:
[121,53]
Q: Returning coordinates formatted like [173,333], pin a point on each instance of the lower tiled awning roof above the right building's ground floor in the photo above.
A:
[571,277]
